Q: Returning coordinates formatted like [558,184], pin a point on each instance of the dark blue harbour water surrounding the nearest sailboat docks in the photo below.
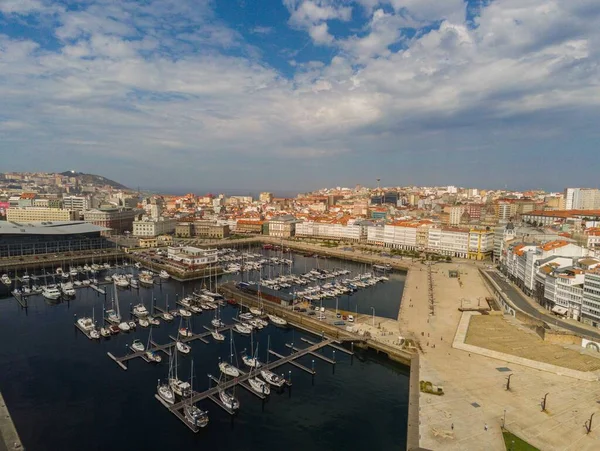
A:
[66,394]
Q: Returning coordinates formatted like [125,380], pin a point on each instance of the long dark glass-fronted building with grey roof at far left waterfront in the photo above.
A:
[35,238]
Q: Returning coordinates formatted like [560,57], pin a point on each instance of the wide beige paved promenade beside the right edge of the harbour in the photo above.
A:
[475,385]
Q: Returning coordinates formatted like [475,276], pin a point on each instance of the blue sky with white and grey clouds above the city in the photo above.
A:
[284,95]
